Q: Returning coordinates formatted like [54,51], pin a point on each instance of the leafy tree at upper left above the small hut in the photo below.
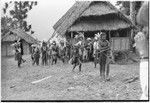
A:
[19,12]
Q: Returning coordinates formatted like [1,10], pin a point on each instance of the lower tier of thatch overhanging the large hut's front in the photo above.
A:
[99,24]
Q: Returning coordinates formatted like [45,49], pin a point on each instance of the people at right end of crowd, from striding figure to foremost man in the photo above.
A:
[98,48]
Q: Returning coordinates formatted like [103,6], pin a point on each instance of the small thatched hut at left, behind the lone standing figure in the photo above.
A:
[11,37]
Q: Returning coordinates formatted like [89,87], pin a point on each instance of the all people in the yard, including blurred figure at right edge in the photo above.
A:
[98,48]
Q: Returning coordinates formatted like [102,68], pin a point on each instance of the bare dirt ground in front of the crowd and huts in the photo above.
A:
[63,84]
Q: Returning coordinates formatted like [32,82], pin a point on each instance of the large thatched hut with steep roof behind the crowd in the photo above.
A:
[91,17]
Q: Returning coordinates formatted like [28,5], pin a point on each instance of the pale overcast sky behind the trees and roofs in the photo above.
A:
[46,14]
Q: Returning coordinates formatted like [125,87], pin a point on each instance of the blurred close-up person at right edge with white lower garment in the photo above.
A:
[141,41]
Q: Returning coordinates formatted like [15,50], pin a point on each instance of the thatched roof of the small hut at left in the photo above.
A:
[18,33]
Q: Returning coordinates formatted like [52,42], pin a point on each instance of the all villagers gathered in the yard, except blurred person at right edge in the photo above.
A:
[82,50]
